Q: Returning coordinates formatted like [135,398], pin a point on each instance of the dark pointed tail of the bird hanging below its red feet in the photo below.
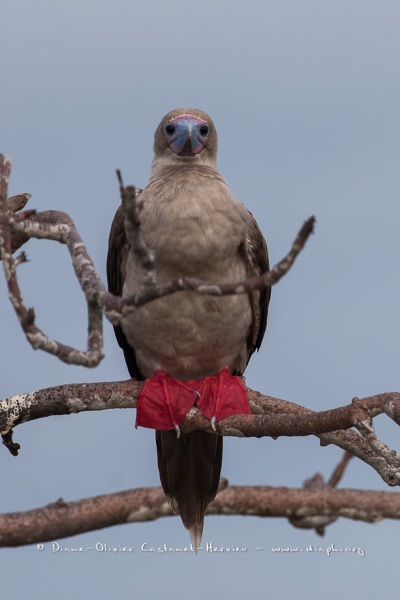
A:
[190,468]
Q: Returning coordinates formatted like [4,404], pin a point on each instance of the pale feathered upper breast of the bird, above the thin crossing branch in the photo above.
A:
[192,224]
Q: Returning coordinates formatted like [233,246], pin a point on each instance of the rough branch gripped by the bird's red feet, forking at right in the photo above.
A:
[271,417]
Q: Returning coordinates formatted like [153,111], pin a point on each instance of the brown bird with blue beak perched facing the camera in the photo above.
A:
[195,227]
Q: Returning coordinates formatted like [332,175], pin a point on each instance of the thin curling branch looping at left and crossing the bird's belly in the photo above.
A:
[16,229]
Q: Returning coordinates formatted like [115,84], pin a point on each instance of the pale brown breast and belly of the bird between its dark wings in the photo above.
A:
[196,230]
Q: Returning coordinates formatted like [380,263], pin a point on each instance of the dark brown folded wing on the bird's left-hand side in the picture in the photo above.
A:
[118,248]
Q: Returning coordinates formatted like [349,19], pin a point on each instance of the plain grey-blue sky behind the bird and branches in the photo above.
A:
[305,97]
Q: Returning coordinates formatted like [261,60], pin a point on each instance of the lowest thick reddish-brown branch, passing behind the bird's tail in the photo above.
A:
[62,519]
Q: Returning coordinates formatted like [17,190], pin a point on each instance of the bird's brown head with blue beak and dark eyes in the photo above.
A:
[186,134]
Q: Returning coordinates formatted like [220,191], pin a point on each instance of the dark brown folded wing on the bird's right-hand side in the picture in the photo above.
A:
[255,255]
